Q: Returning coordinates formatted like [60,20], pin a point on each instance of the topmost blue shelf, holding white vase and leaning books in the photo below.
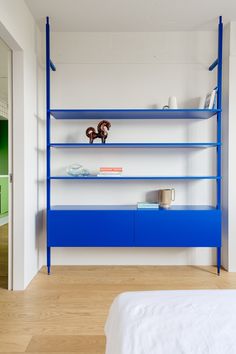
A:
[133,113]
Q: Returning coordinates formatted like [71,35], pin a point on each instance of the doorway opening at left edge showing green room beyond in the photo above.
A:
[5,166]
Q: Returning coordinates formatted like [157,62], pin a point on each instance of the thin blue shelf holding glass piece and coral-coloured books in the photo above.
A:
[132,177]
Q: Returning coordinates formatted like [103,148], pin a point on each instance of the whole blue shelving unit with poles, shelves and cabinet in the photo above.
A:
[181,226]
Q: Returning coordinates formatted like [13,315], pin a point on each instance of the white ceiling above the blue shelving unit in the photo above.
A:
[131,15]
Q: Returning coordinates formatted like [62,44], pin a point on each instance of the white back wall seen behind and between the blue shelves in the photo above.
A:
[125,70]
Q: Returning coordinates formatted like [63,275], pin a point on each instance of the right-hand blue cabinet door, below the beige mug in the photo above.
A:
[172,228]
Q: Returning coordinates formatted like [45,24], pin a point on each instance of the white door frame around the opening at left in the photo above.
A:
[17,188]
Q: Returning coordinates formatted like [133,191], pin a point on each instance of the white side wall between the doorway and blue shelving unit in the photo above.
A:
[18,29]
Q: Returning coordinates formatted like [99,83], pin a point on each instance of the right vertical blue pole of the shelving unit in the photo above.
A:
[219,106]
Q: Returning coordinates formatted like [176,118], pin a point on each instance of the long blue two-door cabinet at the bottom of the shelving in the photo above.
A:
[134,228]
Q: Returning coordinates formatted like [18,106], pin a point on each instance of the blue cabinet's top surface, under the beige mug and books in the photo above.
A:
[130,207]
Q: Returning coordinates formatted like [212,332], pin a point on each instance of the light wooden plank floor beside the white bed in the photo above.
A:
[66,311]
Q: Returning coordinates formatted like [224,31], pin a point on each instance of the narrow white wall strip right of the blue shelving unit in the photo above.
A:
[229,148]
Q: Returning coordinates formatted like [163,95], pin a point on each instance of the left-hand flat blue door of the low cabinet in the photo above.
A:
[90,228]
